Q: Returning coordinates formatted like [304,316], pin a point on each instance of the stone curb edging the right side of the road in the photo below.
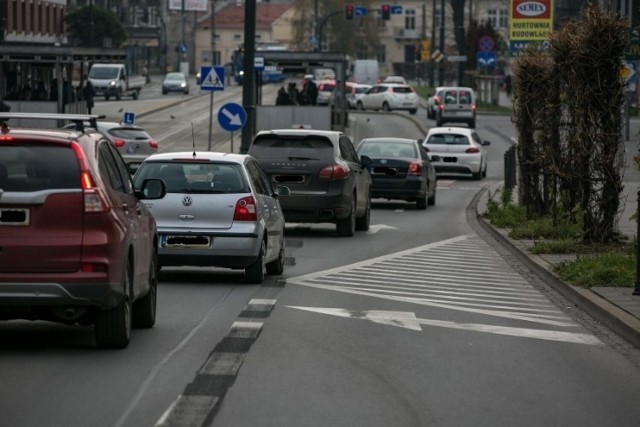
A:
[613,317]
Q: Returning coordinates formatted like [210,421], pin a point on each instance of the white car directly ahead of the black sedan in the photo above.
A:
[457,150]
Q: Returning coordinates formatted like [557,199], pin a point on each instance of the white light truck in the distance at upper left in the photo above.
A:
[113,80]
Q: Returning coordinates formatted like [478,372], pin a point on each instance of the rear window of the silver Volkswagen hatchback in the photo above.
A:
[201,177]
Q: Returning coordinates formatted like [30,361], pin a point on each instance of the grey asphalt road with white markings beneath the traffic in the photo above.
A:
[421,321]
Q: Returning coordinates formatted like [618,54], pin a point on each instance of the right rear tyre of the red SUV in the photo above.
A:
[113,326]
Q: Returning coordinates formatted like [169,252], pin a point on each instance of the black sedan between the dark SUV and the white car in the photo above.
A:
[401,170]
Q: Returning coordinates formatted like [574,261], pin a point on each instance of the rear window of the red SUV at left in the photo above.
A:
[34,167]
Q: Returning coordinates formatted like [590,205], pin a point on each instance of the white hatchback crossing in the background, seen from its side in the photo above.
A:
[389,97]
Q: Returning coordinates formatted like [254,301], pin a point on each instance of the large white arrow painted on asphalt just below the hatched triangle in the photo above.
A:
[408,320]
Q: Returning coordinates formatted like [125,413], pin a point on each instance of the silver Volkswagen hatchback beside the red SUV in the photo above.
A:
[220,210]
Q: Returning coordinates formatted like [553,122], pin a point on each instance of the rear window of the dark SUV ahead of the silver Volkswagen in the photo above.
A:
[292,149]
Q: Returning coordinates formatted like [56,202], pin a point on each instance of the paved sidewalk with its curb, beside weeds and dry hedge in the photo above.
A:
[616,308]
